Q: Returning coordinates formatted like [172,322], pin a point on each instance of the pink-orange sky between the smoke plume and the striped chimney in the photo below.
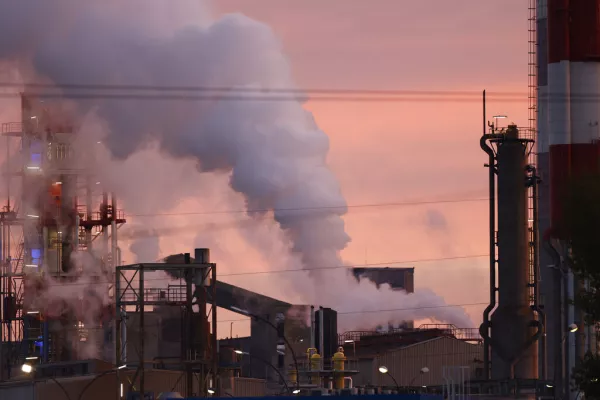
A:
[403,151]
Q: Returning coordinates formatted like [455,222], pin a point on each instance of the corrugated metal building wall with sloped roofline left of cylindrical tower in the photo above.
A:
[405,364]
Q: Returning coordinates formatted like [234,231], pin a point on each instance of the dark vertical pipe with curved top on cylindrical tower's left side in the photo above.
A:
[492,249]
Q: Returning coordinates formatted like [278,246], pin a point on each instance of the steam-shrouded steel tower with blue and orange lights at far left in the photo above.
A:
[41,224]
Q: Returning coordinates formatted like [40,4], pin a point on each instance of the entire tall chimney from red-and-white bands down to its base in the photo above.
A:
[568,36]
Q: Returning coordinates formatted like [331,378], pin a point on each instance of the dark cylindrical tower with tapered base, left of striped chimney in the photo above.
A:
[511,329]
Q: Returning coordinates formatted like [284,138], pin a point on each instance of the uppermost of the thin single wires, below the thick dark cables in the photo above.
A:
[263,210]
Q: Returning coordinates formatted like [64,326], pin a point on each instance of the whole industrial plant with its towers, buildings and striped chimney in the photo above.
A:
[79,323]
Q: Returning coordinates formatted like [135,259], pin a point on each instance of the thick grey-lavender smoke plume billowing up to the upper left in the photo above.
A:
[273,151]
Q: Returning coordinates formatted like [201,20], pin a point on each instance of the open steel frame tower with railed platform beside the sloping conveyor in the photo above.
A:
[199,337]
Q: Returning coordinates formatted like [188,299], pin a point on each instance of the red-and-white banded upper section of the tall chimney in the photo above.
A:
[569,103]
